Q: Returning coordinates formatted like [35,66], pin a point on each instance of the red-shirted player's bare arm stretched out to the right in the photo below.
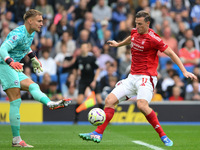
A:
[177,60]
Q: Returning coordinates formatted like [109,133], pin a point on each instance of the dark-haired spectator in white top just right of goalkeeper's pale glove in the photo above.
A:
[48,63]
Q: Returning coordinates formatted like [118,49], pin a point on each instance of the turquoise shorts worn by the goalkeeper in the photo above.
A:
[9,78]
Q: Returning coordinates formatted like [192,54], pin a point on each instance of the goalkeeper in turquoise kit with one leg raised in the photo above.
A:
[14,48]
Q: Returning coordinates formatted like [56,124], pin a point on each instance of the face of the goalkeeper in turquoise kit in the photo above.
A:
[36,23]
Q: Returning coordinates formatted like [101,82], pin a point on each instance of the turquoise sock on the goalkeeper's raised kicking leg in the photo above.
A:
[37,94]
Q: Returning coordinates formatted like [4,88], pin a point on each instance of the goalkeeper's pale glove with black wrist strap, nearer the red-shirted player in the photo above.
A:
[35,63]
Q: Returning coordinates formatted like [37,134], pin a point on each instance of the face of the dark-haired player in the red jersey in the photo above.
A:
[142,26]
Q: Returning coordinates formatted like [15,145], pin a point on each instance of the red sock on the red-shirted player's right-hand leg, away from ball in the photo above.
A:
[153,120]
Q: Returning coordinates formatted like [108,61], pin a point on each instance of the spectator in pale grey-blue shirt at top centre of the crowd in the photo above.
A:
[101,11]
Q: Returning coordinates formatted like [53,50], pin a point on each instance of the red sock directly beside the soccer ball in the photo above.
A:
[109,114]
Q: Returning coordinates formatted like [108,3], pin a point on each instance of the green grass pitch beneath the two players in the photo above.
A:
[116,137]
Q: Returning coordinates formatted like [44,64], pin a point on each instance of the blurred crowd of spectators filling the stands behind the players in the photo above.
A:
[69,23]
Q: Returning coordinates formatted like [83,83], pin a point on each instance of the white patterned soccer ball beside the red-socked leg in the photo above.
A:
[96,116]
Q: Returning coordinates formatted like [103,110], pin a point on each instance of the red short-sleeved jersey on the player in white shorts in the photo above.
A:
[144,48]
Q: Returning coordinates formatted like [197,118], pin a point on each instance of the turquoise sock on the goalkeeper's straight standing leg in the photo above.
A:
[14,117]
